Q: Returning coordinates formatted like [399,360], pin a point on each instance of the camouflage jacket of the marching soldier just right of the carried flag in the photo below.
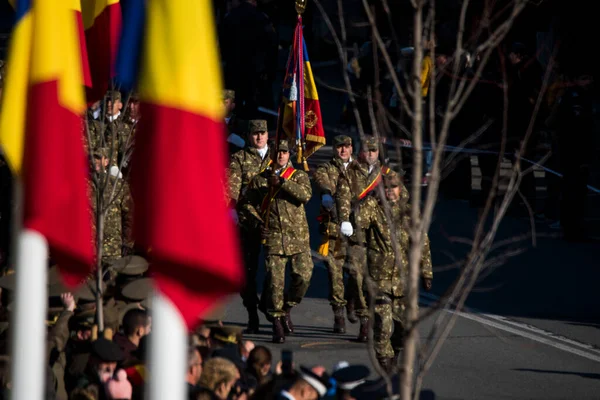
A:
[326,177]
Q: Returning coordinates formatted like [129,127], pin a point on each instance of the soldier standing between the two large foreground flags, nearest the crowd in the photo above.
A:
[112,193]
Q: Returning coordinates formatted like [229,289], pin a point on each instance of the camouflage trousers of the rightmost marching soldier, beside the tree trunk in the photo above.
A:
[388,327]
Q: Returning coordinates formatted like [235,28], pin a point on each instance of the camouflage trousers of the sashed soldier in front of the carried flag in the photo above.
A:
[274,287]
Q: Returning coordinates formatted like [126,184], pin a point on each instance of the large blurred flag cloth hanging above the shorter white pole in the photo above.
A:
[181,215]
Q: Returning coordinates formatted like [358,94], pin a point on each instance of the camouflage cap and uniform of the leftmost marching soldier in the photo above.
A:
[245,169]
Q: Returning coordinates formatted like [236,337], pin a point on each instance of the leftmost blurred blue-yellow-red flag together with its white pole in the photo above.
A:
[44,80]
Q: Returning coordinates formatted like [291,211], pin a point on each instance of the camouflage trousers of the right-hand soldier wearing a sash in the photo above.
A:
[357,263]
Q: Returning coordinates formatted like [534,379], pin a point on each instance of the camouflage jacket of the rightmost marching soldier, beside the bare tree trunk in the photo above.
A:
[388,271]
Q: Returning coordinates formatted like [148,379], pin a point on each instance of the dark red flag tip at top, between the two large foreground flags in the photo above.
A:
[102,24]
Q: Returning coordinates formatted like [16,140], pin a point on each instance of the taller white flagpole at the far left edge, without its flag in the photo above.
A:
[28,358]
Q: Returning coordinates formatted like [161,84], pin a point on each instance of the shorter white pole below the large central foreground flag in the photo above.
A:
[168,351]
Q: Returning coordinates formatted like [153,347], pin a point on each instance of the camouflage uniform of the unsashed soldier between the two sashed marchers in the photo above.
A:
[326,178]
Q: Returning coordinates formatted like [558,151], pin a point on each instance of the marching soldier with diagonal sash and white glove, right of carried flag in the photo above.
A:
[361,181]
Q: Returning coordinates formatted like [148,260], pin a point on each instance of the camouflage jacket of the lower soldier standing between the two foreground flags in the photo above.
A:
[118,220]
